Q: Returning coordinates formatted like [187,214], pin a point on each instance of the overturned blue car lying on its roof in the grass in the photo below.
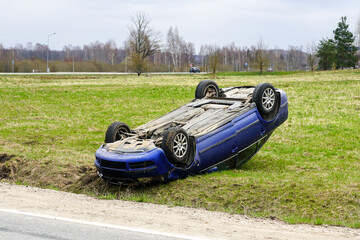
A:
[219,129]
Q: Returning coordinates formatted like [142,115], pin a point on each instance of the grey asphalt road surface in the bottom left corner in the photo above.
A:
[21,227]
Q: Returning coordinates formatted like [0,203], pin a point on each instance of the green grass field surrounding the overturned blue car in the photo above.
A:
[308,172]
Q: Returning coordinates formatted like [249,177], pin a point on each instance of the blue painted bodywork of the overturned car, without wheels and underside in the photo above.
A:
[229,144]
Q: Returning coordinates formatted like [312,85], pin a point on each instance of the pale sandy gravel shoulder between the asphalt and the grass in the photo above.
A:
[195,223]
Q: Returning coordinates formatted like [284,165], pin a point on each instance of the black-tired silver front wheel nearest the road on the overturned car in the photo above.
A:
[176,145]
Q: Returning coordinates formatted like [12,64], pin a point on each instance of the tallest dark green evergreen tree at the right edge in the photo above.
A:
[345,49]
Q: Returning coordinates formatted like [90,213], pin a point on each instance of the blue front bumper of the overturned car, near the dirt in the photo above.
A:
[114,166]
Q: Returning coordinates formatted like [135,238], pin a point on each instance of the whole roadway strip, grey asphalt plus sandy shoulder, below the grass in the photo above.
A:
[34,213]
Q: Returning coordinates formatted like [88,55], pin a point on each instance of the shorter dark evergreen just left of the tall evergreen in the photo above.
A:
[327,54]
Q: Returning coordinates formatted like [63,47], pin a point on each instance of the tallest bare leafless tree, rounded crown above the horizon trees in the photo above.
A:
[143,42]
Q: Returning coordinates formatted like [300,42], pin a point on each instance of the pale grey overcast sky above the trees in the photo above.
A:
[279,23]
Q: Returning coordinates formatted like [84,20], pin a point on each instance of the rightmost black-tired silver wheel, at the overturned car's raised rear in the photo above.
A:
[266,100]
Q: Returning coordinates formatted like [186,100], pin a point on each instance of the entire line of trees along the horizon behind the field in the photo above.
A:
[144,51]
